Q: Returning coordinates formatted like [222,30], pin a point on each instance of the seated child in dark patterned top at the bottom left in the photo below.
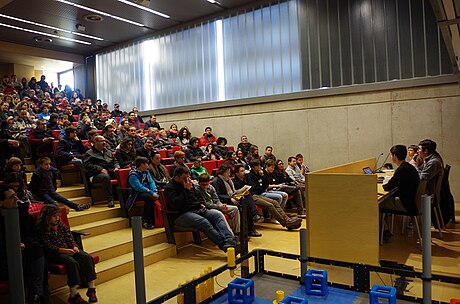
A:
[60,247]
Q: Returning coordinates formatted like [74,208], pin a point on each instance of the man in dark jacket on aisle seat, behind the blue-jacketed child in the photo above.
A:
[101,165]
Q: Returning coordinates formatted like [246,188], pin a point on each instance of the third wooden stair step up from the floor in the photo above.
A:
[93,214]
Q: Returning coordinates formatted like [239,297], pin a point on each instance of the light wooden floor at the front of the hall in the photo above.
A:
[192,260]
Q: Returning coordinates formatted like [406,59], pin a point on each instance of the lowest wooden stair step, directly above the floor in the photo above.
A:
[118,266]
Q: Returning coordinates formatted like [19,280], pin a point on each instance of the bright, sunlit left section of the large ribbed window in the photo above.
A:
[251,54]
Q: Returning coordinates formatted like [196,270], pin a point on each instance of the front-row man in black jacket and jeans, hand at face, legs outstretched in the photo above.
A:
[192,211]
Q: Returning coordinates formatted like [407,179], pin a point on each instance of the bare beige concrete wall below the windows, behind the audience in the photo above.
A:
[342,128]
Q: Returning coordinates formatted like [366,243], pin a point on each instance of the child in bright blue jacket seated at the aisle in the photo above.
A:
[143,188]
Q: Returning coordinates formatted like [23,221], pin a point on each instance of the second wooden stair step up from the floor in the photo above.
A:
[112,244]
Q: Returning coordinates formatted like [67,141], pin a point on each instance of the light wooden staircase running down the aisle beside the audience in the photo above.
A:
[110,237]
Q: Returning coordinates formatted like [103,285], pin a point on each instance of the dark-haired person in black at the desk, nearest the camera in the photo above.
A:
[406,179]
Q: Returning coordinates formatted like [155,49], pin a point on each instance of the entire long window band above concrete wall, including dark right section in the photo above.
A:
[285,47]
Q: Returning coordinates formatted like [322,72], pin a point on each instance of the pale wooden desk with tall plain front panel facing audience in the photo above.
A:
[343,213]
